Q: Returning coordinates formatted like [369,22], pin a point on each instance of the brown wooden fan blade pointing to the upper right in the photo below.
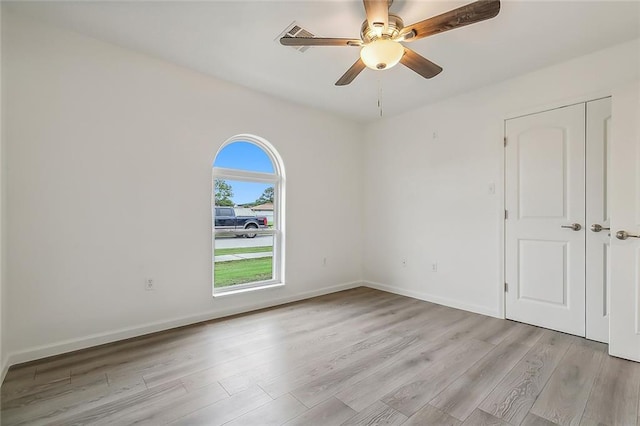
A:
[465,15]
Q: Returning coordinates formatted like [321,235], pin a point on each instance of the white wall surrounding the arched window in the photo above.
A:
[108,175]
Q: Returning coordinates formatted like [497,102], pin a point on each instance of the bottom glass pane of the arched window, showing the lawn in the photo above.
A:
[242,260]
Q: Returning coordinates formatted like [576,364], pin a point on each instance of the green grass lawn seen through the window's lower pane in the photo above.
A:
[242,271]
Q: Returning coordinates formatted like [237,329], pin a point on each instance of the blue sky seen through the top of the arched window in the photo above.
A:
[245,156]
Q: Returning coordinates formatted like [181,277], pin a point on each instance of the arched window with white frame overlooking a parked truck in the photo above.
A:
[247,216]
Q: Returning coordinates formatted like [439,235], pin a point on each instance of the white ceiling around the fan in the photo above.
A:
[237,41]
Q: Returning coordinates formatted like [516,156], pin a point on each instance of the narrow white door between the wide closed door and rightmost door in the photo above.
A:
[598,253]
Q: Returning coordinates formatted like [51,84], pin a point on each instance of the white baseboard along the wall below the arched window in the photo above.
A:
[58,348]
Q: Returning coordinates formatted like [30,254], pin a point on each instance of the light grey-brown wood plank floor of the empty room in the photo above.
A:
[359,357]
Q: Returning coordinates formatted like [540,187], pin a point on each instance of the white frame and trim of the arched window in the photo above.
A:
[278,180]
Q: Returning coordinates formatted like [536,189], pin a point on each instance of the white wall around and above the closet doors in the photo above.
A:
[436,189]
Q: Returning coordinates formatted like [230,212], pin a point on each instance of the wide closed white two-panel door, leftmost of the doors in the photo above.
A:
[544,231]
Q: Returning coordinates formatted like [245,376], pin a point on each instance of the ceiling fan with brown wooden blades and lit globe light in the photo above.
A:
[382,33]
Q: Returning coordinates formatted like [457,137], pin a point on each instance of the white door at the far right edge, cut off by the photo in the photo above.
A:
[624,318]
